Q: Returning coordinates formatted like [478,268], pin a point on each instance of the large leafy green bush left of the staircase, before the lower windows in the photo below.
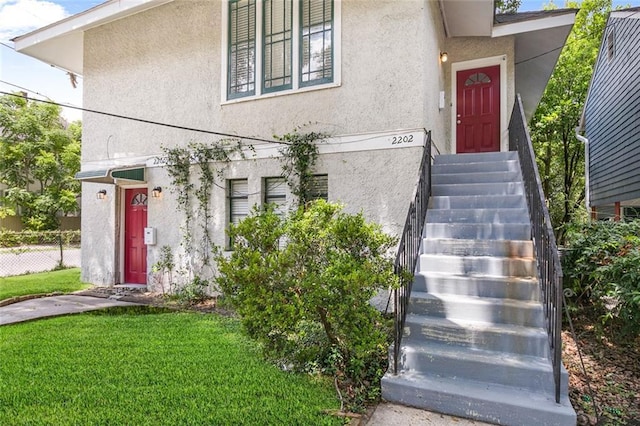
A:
[302,285]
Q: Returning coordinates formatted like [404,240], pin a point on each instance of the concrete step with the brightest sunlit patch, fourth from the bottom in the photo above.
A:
[480,309]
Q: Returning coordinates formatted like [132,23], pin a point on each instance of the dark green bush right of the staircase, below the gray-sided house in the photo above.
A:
[602,270]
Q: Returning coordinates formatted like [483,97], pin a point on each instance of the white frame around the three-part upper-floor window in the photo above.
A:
[295,84]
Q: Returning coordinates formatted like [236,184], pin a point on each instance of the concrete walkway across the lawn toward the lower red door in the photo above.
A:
[55,306]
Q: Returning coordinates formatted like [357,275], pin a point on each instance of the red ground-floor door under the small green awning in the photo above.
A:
[135,251]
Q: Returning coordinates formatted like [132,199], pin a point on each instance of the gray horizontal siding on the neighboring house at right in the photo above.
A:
[612,116]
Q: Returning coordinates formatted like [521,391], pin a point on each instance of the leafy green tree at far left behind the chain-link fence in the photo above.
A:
[38,160]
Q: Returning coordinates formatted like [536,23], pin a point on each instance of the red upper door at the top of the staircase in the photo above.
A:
[478,110]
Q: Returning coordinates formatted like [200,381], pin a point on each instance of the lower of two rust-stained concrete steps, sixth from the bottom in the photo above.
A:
[478,265]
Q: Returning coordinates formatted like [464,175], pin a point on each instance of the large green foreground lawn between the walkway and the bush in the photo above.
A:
[147,366]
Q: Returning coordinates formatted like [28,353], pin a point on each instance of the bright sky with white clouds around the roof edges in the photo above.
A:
[40,80]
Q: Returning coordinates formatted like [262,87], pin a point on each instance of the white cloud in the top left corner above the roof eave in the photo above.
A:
[18,17]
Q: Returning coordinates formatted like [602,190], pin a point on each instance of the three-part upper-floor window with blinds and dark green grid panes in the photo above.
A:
[279,45]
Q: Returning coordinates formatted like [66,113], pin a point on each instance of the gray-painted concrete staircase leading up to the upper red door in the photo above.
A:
[475,343]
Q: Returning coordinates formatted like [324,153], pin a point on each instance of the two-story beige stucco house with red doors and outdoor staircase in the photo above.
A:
[396,86]
